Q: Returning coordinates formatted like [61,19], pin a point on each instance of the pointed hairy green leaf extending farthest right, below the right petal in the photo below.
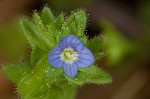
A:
[96,75]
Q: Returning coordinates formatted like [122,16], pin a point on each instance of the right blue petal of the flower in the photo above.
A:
[85,58]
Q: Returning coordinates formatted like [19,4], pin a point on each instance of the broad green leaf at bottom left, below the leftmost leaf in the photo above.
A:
[32,86]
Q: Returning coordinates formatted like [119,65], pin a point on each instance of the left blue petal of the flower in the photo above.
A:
[54,57]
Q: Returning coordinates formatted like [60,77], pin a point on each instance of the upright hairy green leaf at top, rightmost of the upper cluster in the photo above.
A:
[75,24]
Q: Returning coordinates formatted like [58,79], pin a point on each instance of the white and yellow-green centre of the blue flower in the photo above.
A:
[68,55]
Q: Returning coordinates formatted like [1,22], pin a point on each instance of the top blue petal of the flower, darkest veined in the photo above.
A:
[71,41]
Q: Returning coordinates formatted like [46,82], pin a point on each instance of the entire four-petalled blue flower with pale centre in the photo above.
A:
[70,54]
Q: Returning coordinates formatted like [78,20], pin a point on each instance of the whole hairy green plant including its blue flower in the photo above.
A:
[62,57]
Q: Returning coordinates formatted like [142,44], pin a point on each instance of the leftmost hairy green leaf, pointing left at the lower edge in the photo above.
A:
[16,72]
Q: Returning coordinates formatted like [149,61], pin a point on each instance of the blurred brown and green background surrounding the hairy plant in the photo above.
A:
[123,24]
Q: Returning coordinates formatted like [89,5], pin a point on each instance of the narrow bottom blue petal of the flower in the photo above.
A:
[70,69]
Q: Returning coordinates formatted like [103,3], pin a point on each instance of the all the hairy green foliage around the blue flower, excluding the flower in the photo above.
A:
[39,80]
